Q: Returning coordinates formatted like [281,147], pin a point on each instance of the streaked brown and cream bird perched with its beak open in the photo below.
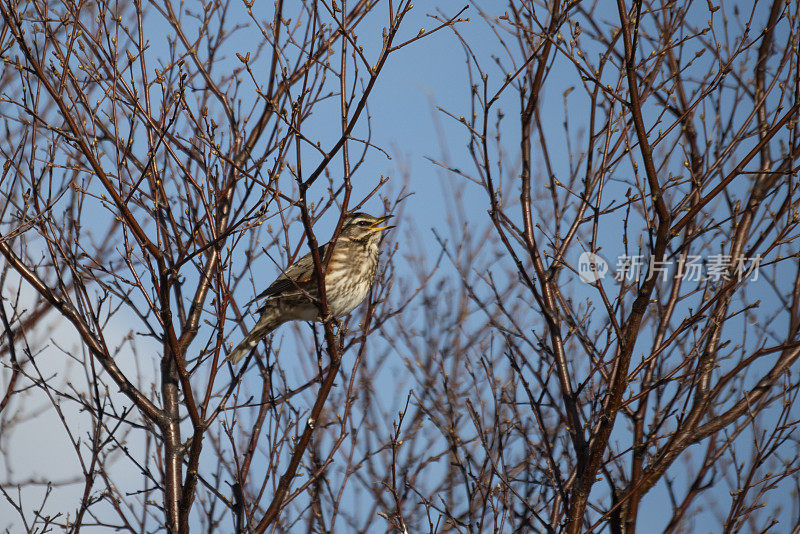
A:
[293,296]
